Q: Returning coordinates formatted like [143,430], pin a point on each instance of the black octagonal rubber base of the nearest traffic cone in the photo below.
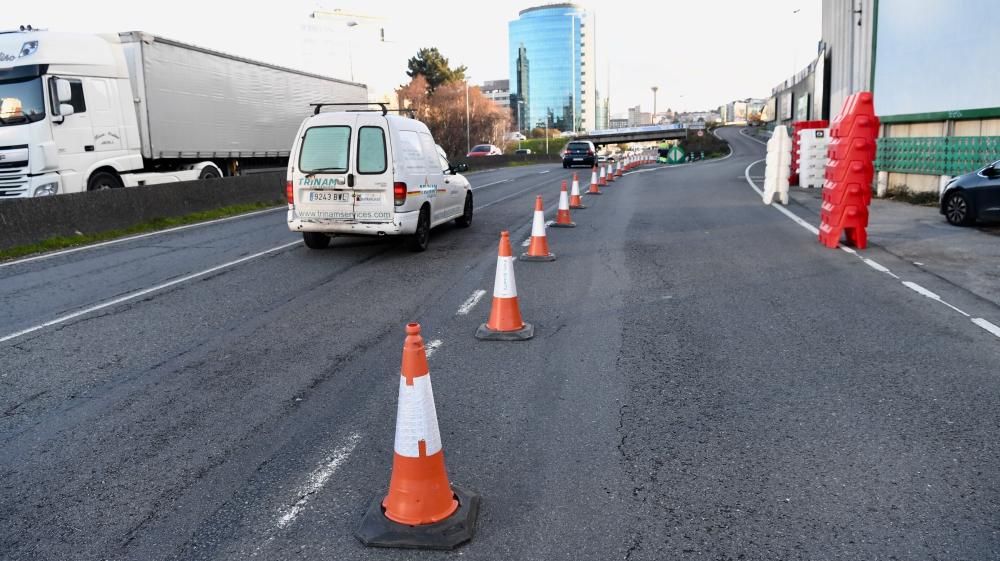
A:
[378,531]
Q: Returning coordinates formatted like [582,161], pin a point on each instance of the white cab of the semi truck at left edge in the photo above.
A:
[66,117]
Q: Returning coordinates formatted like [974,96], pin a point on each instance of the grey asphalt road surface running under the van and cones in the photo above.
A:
[706,382]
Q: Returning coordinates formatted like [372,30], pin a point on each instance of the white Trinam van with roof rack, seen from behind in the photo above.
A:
[372,174]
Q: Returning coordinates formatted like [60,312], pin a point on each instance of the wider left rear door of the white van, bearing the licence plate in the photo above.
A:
[321,186]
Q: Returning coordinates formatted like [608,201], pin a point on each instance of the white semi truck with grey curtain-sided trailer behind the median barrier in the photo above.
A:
[85,112]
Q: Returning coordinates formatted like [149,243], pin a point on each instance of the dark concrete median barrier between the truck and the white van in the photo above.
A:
[27,221]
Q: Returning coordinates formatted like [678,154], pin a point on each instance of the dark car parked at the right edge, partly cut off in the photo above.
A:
[973,196]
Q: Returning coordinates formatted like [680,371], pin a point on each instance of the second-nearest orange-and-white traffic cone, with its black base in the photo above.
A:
[505,323]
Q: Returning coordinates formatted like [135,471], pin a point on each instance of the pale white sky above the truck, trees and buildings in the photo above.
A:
[701,53]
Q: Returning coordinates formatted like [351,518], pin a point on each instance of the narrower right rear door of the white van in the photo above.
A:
[373,195]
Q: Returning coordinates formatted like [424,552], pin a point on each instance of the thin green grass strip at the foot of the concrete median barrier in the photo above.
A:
[64,242]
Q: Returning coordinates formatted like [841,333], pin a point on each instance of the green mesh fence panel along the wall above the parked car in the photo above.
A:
[953,155]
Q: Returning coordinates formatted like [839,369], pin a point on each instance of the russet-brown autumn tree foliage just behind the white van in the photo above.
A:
[444,114]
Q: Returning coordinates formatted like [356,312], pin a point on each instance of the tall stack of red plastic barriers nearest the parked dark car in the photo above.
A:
[850,168]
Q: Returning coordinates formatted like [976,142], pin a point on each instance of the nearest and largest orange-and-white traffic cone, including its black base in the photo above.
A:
[422,510]
